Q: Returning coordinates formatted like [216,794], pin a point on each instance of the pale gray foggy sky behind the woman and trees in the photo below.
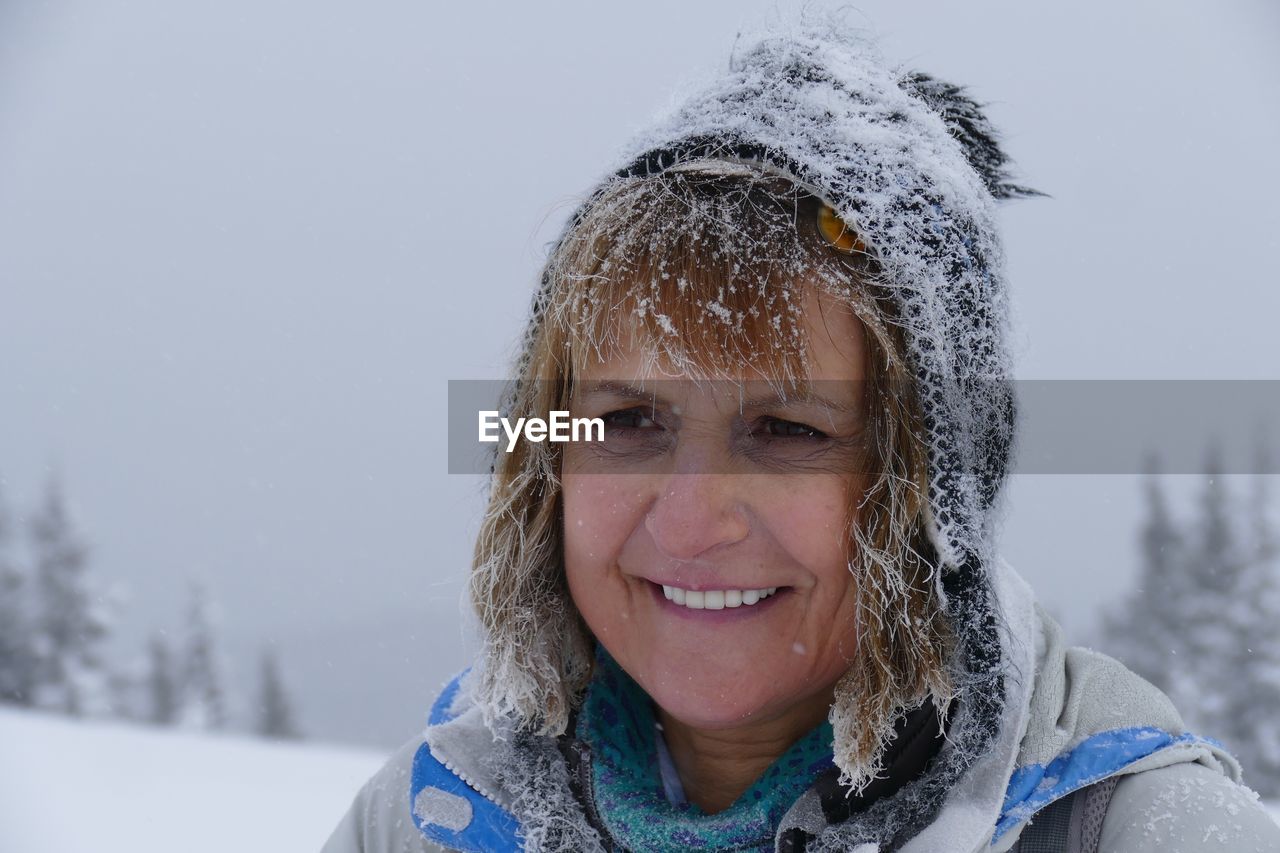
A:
[244,248]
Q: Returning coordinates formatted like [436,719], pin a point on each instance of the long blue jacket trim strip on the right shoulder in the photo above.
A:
[1035,787]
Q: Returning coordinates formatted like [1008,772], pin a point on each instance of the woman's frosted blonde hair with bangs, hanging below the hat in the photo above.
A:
[708,268]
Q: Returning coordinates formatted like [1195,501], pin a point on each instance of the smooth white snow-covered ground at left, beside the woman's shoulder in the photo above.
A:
[111,788]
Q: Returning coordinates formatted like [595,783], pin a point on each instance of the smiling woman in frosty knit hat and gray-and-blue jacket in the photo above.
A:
[767,612]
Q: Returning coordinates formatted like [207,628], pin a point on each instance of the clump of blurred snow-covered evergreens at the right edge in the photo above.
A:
[1201,622]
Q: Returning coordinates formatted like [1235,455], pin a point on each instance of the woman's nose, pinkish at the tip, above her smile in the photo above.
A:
[696,514]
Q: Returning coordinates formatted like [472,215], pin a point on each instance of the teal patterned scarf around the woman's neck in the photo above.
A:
[618,723]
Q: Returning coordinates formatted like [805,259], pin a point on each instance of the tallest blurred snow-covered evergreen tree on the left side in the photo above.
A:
[71,624]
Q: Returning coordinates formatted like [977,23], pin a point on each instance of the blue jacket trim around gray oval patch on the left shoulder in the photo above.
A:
[488,828]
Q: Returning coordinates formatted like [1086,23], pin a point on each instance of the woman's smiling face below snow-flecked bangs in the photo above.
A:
[706,494]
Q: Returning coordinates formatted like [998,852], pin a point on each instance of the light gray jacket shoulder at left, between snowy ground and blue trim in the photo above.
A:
[380,819]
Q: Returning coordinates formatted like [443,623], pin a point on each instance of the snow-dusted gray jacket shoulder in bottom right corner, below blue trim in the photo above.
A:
[1187,809]
